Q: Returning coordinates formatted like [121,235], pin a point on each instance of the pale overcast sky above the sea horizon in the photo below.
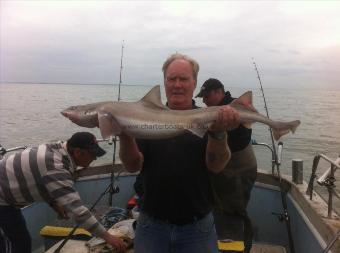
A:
[295,44]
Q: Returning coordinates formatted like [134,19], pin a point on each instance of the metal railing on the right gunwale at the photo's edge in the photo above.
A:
[326,180]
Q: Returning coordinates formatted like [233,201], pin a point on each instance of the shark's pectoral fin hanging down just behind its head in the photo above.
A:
[108,125]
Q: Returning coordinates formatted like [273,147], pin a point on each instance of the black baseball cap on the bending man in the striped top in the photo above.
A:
[87,141]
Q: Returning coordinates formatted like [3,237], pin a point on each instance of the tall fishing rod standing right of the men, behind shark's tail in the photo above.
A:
[276,161]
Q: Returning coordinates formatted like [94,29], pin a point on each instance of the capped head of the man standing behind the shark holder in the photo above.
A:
[212,92]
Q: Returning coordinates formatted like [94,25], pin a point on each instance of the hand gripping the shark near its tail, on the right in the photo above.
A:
[227,119]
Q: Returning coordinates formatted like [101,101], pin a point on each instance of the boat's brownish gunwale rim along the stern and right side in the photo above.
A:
[314,211]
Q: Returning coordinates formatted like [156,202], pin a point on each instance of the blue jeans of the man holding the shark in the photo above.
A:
[155,236]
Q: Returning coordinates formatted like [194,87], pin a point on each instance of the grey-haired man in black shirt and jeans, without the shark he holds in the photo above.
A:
[177,200]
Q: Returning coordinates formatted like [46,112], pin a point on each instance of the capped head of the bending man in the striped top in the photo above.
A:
[84,149]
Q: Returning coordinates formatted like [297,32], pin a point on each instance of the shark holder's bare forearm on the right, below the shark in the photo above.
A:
[217,153]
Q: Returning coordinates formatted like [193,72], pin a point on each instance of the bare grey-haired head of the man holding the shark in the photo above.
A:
[180,79]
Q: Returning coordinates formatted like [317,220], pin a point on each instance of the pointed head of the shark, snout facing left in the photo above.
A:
[83,115]
